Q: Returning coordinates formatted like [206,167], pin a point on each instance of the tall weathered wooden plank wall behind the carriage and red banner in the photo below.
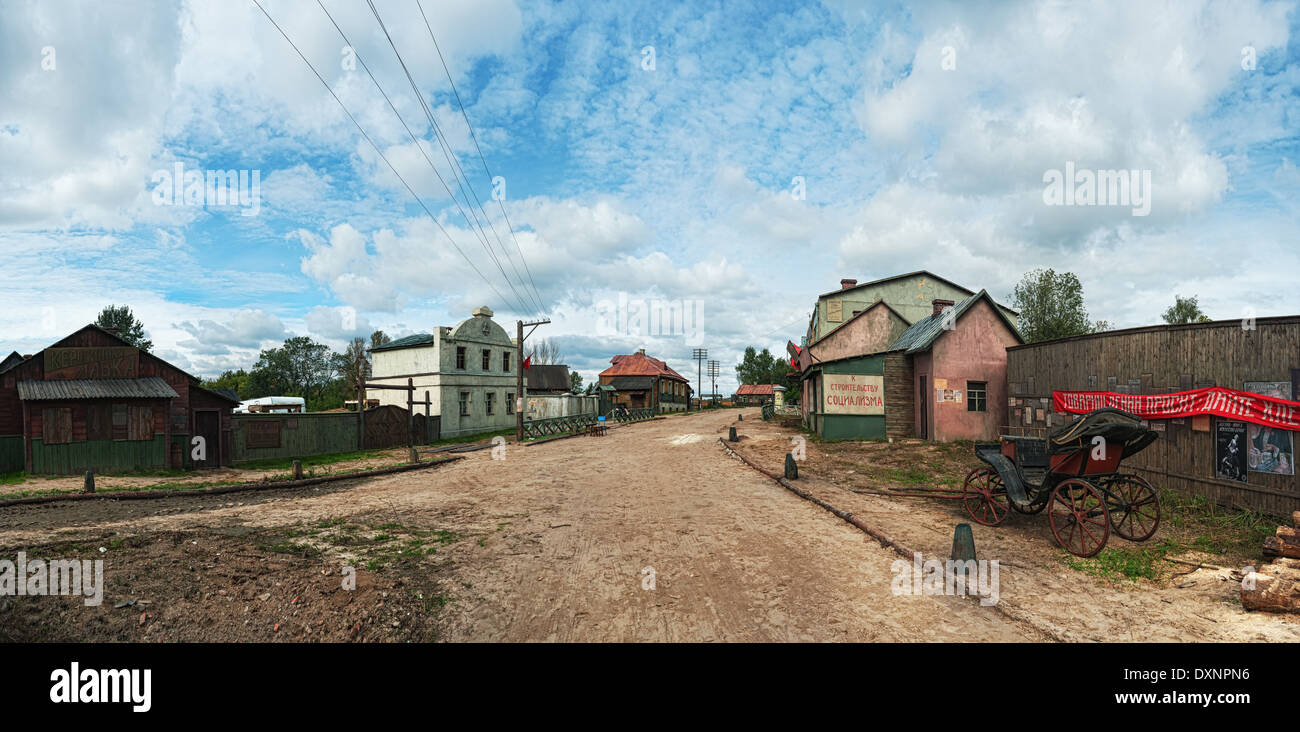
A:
[1159,361]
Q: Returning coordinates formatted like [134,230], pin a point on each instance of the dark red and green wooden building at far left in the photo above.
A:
[96,402]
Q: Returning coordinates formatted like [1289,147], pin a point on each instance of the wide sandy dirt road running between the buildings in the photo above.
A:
[556,543]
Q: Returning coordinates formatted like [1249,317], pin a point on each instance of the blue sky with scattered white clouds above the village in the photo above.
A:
[725,161]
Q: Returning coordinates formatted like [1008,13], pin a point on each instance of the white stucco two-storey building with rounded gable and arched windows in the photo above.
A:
[470,373]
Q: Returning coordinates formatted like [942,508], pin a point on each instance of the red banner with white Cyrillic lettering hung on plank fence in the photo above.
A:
[1214,401]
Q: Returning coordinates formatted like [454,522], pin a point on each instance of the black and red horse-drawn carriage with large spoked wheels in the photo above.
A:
[1074,474]
